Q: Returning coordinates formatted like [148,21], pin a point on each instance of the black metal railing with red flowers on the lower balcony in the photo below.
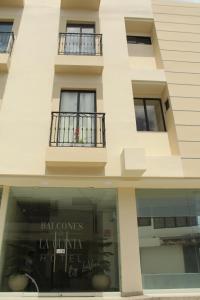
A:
[71,129]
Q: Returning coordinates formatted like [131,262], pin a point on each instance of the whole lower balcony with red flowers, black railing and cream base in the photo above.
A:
[77,140]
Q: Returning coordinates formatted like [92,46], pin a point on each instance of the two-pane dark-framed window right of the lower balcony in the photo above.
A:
[149,115]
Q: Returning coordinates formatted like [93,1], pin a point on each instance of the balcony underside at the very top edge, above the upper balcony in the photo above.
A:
[80,4]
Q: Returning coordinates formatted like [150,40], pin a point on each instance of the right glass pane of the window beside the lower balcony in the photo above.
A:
[154,114]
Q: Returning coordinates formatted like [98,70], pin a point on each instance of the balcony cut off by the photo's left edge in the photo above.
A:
[6,45]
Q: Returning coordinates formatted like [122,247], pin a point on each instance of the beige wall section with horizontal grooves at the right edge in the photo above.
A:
[178,28]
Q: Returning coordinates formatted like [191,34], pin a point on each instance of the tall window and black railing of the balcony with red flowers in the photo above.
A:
[77,124]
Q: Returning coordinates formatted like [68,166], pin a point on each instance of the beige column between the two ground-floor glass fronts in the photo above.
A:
[130,271]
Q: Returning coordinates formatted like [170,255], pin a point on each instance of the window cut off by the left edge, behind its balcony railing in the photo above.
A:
[5,36]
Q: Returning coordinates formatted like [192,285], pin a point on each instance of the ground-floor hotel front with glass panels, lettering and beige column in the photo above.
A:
[107,240]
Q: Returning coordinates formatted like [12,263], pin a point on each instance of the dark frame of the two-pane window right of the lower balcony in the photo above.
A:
[144,100]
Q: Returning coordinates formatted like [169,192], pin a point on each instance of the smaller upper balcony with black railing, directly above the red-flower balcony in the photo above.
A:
[79,53]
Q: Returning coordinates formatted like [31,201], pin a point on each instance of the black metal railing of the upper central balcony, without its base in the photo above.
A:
[80,44]
